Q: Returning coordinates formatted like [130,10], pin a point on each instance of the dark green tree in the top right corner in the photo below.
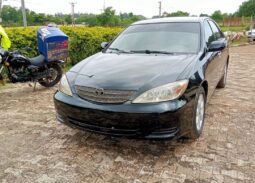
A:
[247,8]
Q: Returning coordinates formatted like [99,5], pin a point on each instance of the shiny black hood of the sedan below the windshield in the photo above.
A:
[130,71]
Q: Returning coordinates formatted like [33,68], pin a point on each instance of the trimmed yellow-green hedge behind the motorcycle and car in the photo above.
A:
[83,41]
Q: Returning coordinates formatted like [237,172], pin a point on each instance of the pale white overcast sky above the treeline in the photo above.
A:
[148,8]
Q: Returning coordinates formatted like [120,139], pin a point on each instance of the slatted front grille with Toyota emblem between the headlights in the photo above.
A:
[103,95]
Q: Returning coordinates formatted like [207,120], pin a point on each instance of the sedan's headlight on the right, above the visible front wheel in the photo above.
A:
[163,93]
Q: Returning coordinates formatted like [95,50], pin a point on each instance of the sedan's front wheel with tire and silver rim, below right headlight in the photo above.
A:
[198,115]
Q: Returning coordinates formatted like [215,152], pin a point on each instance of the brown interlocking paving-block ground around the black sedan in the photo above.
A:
[35,148]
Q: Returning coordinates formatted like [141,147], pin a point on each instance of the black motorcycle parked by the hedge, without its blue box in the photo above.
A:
[23,69]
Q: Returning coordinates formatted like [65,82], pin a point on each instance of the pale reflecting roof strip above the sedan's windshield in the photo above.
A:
[171,19]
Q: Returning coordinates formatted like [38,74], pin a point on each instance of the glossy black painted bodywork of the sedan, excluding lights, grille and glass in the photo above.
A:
[104,70]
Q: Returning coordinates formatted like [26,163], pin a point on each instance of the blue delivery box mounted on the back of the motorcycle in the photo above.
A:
[52,43]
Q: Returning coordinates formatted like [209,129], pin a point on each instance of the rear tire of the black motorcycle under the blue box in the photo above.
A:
[51,81]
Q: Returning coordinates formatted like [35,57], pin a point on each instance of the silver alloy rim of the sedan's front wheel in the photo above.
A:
[200,112]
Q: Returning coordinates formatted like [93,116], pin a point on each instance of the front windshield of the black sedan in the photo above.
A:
[158,38]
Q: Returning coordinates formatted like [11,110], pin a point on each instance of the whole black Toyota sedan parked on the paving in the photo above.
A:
[153,81]
